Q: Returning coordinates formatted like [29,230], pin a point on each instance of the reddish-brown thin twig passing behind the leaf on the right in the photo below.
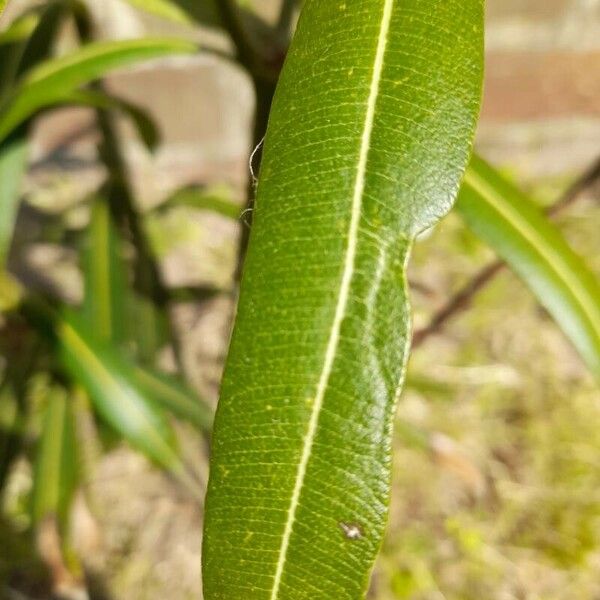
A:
[463,298]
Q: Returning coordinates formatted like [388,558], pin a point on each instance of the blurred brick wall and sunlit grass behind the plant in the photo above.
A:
[497,464]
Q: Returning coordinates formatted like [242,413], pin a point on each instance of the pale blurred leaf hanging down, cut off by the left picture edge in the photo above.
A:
[13,164]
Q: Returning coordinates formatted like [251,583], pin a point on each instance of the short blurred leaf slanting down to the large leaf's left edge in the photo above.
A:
[175,397]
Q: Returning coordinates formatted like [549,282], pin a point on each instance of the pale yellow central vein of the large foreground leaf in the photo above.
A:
[344,293]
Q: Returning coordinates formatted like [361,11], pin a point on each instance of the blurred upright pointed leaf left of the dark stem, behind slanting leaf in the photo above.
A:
[104,275]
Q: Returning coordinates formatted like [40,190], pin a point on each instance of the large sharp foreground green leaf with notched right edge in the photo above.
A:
[368,139]
